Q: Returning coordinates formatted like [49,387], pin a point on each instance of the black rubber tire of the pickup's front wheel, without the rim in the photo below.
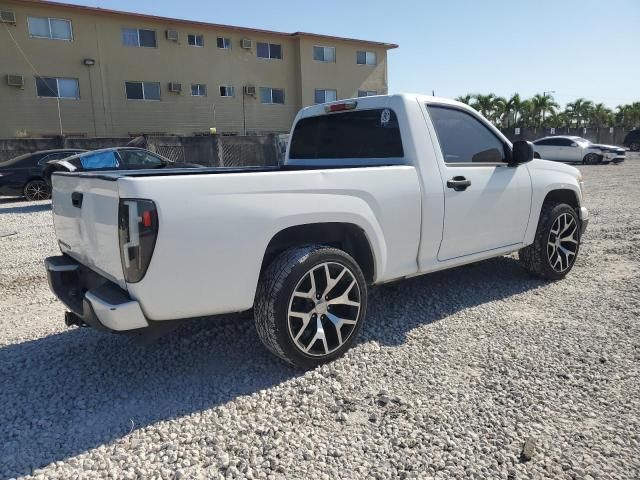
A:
[537,258]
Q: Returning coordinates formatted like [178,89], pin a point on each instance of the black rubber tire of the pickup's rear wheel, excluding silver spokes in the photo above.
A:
[275,295]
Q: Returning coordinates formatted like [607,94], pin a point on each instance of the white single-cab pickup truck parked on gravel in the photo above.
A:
[372,190]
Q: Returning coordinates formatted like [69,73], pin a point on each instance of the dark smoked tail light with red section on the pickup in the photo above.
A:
[137,231]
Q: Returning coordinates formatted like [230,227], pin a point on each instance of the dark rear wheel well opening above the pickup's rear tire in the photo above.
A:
[348,237]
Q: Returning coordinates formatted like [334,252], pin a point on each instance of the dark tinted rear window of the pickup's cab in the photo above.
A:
[355,135]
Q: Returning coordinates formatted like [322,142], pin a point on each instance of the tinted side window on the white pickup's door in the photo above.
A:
[463,138]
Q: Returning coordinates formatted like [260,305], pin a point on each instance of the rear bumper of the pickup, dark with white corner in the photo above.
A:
[93,299]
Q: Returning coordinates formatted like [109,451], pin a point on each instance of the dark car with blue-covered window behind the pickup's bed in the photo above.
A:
[115,158]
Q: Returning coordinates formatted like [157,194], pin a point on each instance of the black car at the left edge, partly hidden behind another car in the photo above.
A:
[24,176]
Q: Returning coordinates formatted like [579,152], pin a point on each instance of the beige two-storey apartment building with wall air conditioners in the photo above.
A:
[97,72]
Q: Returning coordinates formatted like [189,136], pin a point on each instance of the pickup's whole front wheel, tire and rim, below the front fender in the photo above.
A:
[557,242]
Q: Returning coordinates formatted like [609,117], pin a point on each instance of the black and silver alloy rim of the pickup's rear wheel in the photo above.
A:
[324,309]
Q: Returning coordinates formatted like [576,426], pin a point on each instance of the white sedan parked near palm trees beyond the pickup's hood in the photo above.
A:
[577,150]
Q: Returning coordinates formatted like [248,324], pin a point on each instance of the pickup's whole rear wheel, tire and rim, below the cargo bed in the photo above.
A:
[310,305]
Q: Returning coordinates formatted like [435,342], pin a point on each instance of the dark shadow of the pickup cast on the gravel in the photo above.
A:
[67,393]
